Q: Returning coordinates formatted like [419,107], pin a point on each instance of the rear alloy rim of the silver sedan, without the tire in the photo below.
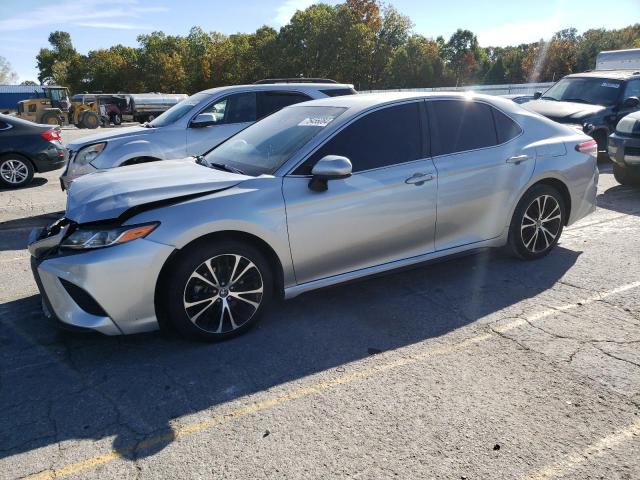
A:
[541,223]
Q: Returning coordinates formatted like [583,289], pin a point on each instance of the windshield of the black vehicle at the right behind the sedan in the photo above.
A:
[596,91]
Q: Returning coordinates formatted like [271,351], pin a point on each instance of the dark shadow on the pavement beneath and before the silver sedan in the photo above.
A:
[57,386]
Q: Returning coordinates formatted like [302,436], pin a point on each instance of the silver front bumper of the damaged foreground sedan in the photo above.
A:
[119,282]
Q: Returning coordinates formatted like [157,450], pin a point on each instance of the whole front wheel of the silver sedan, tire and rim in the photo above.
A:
[218,290]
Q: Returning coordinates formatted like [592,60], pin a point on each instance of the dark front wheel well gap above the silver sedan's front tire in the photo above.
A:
[256,242]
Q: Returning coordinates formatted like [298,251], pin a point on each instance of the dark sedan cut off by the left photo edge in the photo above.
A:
[26,148]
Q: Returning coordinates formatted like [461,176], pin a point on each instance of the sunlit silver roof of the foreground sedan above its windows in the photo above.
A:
[364,101]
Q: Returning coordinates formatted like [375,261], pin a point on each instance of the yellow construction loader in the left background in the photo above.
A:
[54,108]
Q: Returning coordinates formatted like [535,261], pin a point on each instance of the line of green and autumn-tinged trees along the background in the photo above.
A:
[359,41]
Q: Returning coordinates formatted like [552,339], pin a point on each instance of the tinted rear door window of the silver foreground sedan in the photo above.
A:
[460,125]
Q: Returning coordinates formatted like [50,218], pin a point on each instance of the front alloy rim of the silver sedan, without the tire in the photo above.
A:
[223,293]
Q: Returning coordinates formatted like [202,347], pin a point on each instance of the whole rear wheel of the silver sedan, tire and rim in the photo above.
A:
[537,222]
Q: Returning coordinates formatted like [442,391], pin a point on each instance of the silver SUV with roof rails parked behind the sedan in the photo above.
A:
[193,126]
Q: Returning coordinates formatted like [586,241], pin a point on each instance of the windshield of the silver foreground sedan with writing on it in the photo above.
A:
[264,146]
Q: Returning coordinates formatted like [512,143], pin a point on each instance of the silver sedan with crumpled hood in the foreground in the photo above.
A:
[317,194]
